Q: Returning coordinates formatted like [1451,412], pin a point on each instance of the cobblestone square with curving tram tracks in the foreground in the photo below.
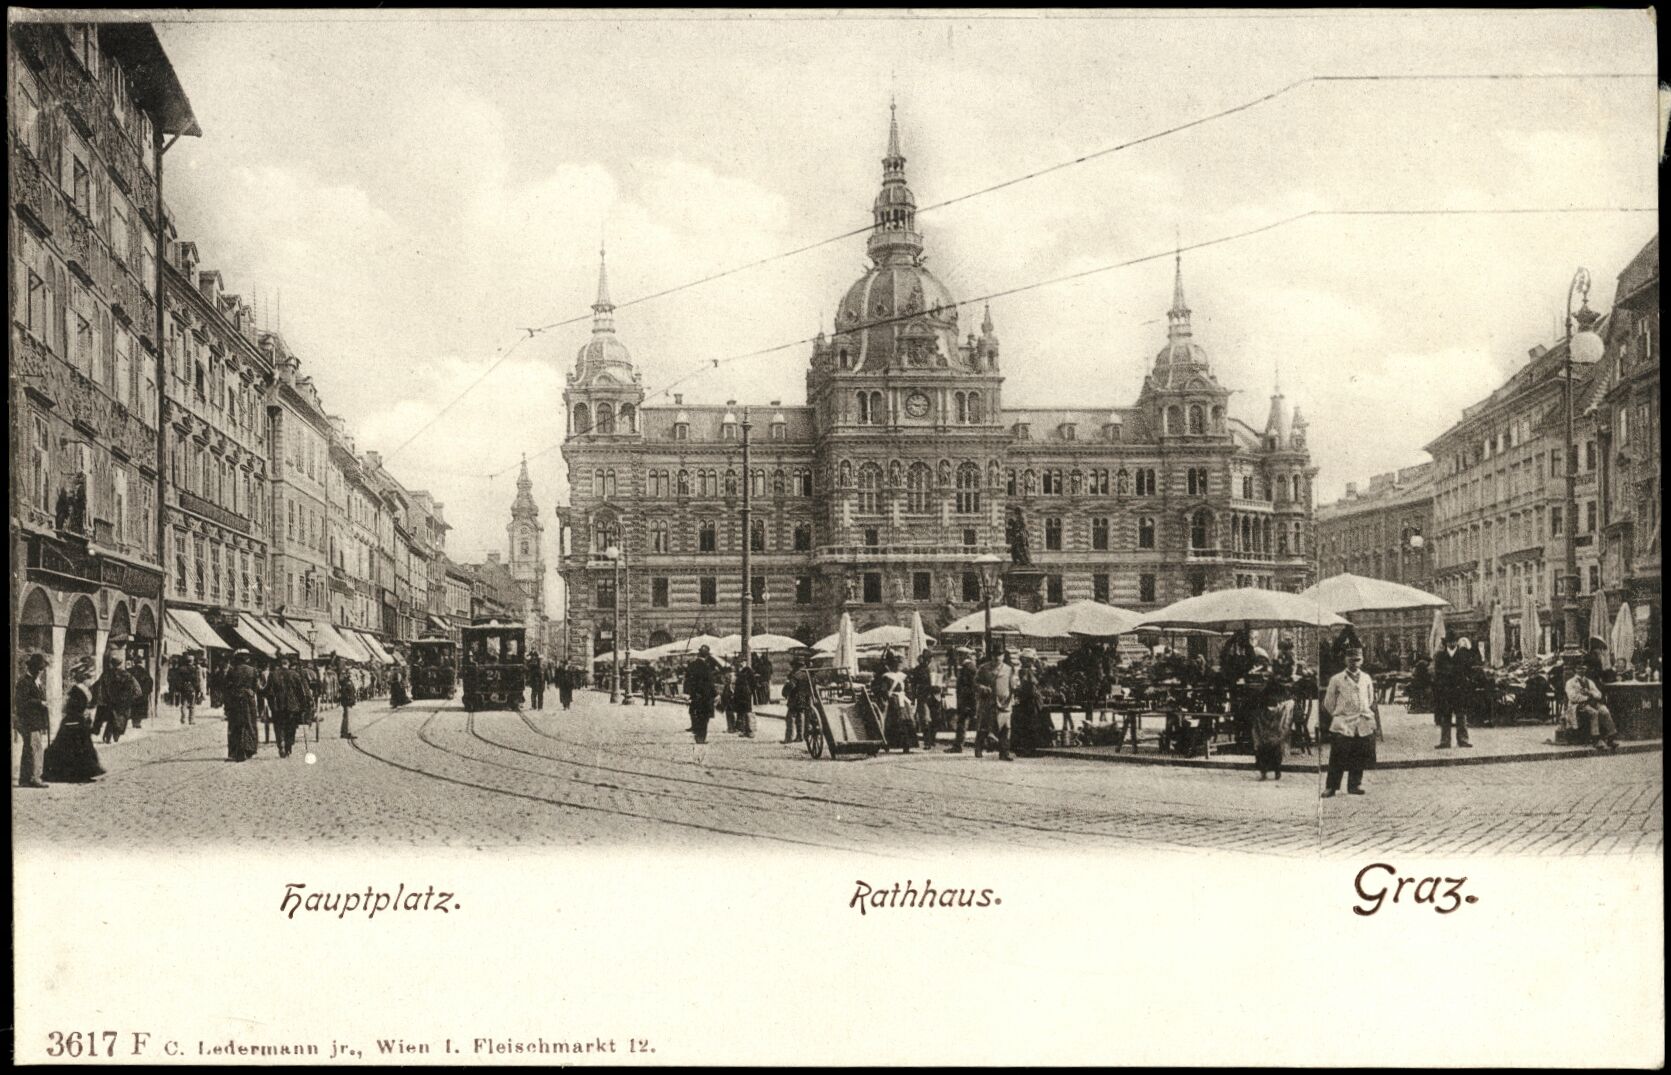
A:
[432,775]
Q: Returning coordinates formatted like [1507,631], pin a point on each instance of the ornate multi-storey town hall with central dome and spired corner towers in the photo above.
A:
[905,466]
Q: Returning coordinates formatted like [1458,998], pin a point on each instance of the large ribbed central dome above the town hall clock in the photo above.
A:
[898,315]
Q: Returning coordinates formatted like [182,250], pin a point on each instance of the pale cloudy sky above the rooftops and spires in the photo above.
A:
[417,190]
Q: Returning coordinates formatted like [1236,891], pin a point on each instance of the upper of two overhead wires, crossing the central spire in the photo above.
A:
[1005,185]
